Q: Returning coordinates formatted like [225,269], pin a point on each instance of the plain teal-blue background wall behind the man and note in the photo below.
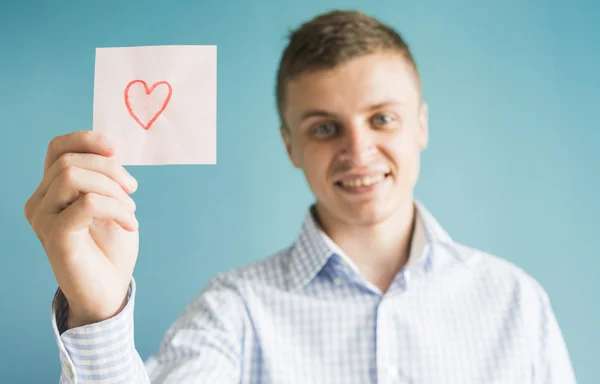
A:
[512,167]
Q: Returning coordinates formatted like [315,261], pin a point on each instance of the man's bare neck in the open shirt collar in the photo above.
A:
[379,250]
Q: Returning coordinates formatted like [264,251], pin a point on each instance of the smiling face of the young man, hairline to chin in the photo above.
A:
[357,133]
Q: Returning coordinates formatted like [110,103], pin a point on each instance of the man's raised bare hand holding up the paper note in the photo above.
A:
[84,217]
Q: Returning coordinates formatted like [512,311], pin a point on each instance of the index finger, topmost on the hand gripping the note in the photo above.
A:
[77,142]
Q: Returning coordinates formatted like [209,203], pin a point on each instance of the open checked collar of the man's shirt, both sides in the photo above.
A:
[313,247]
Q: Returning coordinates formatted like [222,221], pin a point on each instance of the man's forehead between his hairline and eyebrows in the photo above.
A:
[353,86]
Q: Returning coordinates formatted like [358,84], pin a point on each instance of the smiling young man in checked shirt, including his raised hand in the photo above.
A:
[372,291]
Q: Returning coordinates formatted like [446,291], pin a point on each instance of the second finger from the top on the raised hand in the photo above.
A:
[90,162]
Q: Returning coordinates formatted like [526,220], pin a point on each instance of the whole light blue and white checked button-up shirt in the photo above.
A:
[454,314]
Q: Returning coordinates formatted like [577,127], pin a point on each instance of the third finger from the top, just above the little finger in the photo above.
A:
[74,182]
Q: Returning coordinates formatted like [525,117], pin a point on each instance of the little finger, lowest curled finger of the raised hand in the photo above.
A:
[90,206]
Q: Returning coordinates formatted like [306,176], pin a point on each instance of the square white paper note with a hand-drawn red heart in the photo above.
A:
[158,104]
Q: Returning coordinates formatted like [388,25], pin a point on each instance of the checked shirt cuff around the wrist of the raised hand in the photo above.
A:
[98,351]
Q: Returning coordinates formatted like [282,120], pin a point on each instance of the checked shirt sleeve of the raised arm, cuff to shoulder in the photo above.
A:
[202,346]
